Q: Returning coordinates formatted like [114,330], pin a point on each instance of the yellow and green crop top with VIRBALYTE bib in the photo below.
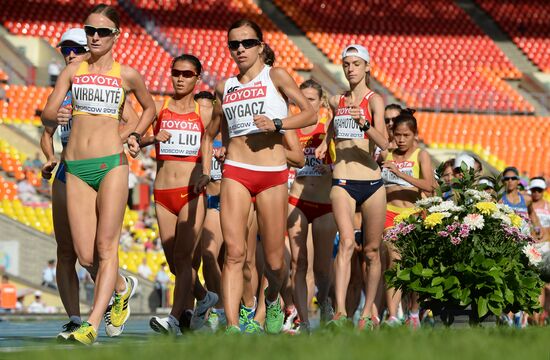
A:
[98,94]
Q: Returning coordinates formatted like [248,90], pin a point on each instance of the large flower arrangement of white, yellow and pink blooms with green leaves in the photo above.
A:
[468,251]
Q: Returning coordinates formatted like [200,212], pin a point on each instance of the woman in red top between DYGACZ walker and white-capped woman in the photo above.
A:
[309,203]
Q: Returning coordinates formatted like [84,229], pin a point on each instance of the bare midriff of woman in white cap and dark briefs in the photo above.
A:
[354,161]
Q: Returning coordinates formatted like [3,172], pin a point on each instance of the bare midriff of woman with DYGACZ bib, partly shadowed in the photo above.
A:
[257,149]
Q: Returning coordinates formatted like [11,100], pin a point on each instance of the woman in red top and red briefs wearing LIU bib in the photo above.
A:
[178,132]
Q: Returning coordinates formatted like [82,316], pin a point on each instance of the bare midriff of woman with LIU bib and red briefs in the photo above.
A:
[175,174]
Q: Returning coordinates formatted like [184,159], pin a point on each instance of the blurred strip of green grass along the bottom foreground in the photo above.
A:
[486,344]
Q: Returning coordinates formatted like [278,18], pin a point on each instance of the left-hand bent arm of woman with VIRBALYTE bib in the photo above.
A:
[55,100]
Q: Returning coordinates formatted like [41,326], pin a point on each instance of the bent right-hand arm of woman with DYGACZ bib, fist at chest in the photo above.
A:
[286,85]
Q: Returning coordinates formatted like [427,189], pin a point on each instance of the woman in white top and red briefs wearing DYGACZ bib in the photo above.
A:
[255,110]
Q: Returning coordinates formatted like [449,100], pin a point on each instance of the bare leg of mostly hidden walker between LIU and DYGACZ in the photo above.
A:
[211,241]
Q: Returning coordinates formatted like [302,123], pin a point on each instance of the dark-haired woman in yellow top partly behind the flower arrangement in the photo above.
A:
[407,172]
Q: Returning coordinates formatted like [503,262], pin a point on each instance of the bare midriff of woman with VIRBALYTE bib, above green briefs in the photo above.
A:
[93,136]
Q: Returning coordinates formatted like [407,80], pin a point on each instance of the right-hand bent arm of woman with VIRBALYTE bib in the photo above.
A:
[136,84]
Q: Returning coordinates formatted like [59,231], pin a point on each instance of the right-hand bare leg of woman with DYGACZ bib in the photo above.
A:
[272,208]
